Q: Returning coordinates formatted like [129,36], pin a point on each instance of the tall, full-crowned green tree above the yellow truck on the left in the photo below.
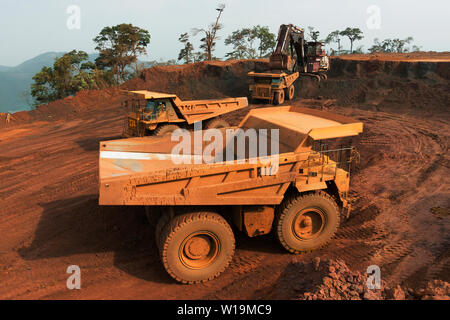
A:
[119,47]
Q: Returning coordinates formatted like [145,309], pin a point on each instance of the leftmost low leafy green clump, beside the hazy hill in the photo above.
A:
[69,74]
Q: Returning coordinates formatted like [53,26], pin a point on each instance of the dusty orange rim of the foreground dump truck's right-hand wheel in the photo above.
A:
[308,223]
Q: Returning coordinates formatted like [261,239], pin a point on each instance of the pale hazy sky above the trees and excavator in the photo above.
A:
[29,28]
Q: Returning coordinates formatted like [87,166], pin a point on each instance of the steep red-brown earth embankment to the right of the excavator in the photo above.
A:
[384,85]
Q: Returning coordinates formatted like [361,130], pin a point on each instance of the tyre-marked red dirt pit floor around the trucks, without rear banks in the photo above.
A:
[49,217]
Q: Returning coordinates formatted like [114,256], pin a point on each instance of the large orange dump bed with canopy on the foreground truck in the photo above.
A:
[142,171]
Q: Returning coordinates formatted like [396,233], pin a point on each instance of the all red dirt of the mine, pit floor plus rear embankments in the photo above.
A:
[50,219]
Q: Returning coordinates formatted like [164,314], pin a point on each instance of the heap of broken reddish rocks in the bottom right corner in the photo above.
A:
[334,280]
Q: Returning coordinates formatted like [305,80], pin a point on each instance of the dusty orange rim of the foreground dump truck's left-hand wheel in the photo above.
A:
[199,250]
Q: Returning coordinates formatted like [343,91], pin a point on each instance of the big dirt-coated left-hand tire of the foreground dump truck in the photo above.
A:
[196,247]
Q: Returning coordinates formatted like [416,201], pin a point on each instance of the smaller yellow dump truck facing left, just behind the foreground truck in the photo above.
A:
[161,113]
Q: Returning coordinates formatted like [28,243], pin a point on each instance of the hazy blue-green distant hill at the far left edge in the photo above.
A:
[15,81]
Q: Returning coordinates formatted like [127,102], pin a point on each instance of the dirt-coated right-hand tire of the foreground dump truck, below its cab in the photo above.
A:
[307,222]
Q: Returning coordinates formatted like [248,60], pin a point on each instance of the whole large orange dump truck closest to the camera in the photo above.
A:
[299,189]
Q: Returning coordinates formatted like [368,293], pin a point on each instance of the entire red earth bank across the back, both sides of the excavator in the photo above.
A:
[374,82]
